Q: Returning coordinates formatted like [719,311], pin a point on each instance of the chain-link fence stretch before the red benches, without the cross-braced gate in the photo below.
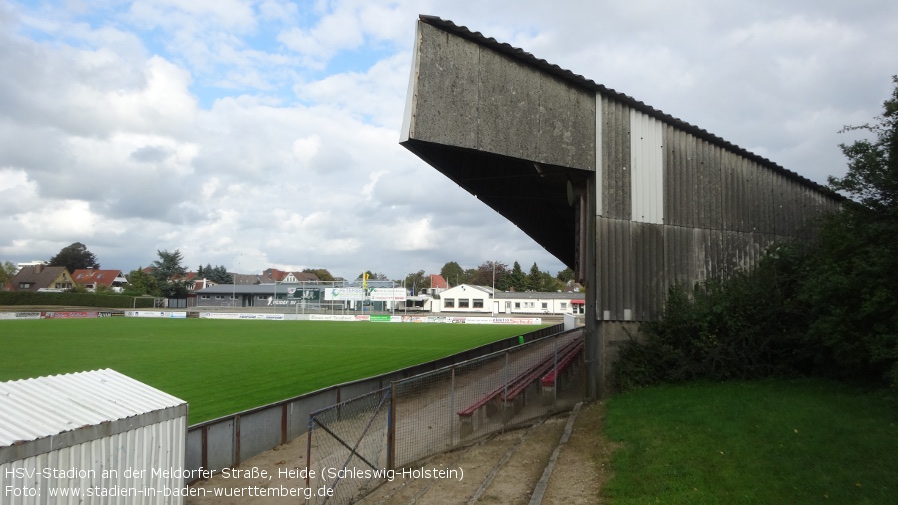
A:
[440,410]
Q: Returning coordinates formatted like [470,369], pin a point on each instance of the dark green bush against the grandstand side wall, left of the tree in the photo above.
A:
[748,326]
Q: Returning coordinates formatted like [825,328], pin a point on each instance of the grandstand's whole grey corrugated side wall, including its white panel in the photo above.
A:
[716,212]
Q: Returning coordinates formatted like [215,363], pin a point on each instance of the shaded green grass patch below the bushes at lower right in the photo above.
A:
[761,442]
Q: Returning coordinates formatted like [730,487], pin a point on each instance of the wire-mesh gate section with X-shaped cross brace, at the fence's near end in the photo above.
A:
[349,443]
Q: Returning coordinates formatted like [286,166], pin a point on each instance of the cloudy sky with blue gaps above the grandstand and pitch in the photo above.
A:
[264,133]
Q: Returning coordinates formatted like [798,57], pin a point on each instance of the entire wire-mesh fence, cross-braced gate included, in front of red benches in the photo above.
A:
[356,445]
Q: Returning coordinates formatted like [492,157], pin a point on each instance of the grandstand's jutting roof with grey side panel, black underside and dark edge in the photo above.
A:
[516,131]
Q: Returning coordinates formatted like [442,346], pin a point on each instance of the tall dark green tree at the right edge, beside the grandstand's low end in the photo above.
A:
[852,274]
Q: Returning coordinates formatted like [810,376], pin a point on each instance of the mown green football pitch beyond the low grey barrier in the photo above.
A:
[221,367]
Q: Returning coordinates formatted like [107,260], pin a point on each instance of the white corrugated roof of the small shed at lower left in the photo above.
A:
[31,409]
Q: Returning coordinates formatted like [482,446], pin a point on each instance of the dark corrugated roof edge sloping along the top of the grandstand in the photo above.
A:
[530,59]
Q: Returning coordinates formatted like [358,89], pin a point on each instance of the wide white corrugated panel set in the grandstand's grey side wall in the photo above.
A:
[646,169]
